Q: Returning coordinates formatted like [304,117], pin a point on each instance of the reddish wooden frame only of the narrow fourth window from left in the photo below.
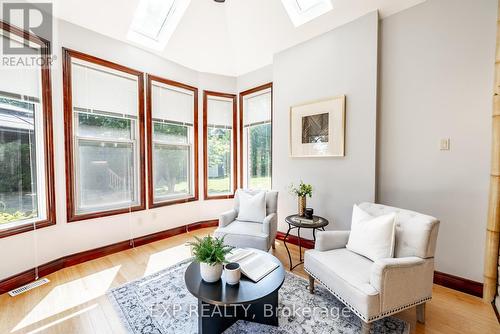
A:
[206,94]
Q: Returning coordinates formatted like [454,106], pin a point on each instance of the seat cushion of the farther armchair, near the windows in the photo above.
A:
[244,235]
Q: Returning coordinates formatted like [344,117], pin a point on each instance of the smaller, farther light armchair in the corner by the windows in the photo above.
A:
[245,234]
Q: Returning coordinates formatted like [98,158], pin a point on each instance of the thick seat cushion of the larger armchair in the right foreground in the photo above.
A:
[349,274]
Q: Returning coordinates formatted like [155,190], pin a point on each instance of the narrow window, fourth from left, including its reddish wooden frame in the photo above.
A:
[219,143]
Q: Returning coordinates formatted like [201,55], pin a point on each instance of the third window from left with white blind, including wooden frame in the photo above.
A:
[173,142]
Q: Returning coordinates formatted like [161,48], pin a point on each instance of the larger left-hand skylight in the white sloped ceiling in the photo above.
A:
[155,21]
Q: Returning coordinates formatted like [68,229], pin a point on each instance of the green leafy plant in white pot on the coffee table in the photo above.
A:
[210,253]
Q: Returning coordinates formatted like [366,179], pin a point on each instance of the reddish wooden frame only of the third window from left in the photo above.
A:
[149,133]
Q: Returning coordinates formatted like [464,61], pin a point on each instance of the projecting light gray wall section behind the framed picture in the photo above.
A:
[342,61]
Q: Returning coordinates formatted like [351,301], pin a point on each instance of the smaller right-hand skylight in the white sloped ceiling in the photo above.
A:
[303,11]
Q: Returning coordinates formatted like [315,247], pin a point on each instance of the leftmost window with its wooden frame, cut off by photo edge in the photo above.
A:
[26,173]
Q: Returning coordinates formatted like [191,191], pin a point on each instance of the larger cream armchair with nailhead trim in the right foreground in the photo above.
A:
[374,290]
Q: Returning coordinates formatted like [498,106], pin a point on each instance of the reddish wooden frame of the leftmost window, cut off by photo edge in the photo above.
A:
[46,91]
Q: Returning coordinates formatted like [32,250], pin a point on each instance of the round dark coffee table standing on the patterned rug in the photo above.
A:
[220,305]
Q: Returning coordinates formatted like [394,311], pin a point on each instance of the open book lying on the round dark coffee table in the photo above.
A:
[253,265]
